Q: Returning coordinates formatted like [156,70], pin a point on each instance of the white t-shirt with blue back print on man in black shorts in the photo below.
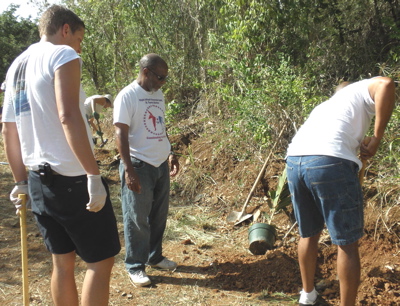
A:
[30,102]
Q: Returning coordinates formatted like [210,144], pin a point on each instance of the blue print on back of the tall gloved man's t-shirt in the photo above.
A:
[21,104]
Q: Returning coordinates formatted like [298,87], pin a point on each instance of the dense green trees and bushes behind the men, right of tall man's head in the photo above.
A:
[240,58]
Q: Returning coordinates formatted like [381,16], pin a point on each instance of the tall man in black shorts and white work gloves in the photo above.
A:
[45,131]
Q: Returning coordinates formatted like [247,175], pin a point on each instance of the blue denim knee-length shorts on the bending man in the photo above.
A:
[326,190]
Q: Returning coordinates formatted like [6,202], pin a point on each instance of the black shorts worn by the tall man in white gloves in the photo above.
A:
[65,223]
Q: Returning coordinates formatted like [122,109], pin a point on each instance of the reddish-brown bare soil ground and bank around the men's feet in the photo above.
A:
[216,267]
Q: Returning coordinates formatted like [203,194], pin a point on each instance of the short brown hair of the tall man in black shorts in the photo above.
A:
[55,17]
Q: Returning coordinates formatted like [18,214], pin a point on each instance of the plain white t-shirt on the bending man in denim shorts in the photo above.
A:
[337,126]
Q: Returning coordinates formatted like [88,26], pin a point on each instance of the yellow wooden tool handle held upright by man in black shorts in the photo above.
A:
[24,249]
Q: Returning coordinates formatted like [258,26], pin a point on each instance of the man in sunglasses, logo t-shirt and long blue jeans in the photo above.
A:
[145,168]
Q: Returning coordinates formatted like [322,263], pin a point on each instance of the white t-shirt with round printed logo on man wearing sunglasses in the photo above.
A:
[144,113]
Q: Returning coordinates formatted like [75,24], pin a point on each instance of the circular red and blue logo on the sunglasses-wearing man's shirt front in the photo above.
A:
[154,120]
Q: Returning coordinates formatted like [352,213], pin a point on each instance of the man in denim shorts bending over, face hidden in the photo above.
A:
[322,171]
